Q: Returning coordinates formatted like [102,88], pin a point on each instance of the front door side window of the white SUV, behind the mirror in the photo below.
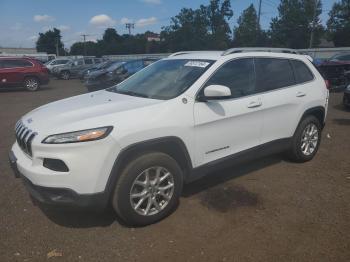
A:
[238,75]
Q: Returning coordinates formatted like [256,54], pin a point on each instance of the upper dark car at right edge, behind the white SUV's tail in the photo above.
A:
[336,70]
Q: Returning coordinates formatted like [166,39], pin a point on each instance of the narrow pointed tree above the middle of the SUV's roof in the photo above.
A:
[248,30]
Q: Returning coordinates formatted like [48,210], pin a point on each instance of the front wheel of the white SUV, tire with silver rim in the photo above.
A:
[132,181]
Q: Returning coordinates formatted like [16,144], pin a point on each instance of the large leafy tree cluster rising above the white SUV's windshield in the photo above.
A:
[197,29]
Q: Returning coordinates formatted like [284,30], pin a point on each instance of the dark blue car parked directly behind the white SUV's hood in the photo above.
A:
[115,73]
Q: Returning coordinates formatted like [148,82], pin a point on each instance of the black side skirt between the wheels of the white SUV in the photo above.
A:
[266,149]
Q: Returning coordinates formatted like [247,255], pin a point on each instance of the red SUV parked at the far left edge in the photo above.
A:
[22,72]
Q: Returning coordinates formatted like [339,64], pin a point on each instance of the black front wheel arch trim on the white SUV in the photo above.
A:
[171,145]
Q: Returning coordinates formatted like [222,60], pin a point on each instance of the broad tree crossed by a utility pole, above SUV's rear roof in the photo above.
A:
[292,27]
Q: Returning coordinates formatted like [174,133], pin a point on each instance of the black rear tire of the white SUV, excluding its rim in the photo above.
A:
[297,138]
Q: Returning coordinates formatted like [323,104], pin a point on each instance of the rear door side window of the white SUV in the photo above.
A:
[273,73]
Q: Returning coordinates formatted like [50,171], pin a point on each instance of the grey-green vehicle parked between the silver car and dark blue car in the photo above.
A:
[72,68]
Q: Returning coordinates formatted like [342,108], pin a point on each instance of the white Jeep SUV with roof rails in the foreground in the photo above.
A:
[135,144]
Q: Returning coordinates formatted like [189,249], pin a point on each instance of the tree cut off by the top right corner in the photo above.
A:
[338,24]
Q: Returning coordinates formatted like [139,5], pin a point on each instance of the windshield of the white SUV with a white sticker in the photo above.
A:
[165,79]
